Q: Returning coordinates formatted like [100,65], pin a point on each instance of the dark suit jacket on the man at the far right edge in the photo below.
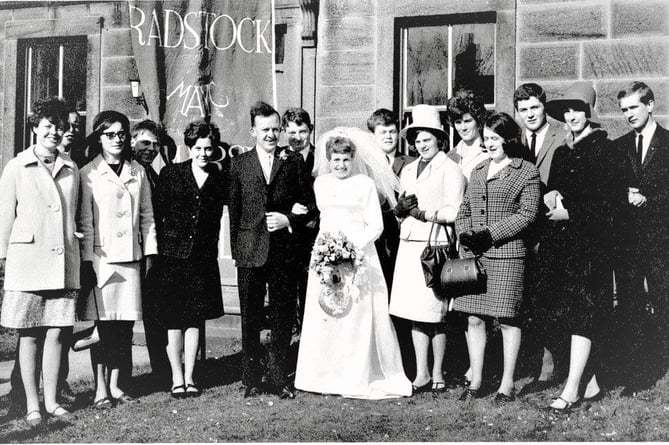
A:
[647,227]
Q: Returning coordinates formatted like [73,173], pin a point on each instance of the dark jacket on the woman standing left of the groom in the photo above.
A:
[188,219]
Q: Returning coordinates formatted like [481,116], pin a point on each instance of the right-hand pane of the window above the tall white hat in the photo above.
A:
[474,59]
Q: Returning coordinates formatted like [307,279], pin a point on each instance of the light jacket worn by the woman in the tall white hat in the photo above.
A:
[440,186]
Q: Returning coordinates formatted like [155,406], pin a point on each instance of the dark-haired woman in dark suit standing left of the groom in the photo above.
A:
[188,204]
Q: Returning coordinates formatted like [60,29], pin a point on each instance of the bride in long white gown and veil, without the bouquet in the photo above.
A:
[348,345]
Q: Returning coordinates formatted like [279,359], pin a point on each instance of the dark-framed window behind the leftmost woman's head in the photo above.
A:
[49,67]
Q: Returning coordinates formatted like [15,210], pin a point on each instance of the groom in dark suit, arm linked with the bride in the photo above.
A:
[263,189]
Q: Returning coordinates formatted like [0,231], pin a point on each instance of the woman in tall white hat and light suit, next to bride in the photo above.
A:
[432,189]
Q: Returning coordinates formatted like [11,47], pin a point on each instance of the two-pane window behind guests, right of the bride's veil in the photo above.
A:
[437,55]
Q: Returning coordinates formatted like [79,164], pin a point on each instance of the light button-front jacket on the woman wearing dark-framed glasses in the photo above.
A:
[116,215]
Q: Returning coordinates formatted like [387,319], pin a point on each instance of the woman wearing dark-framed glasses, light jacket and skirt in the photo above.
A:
[117,222]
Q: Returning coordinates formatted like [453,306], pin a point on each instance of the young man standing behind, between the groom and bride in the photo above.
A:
[297,125]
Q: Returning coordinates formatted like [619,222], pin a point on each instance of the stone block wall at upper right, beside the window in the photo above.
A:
[608,42]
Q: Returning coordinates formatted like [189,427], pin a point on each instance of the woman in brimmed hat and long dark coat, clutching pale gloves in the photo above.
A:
[584,192]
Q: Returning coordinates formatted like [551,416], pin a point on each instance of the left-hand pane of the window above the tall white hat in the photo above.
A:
[427,65]
